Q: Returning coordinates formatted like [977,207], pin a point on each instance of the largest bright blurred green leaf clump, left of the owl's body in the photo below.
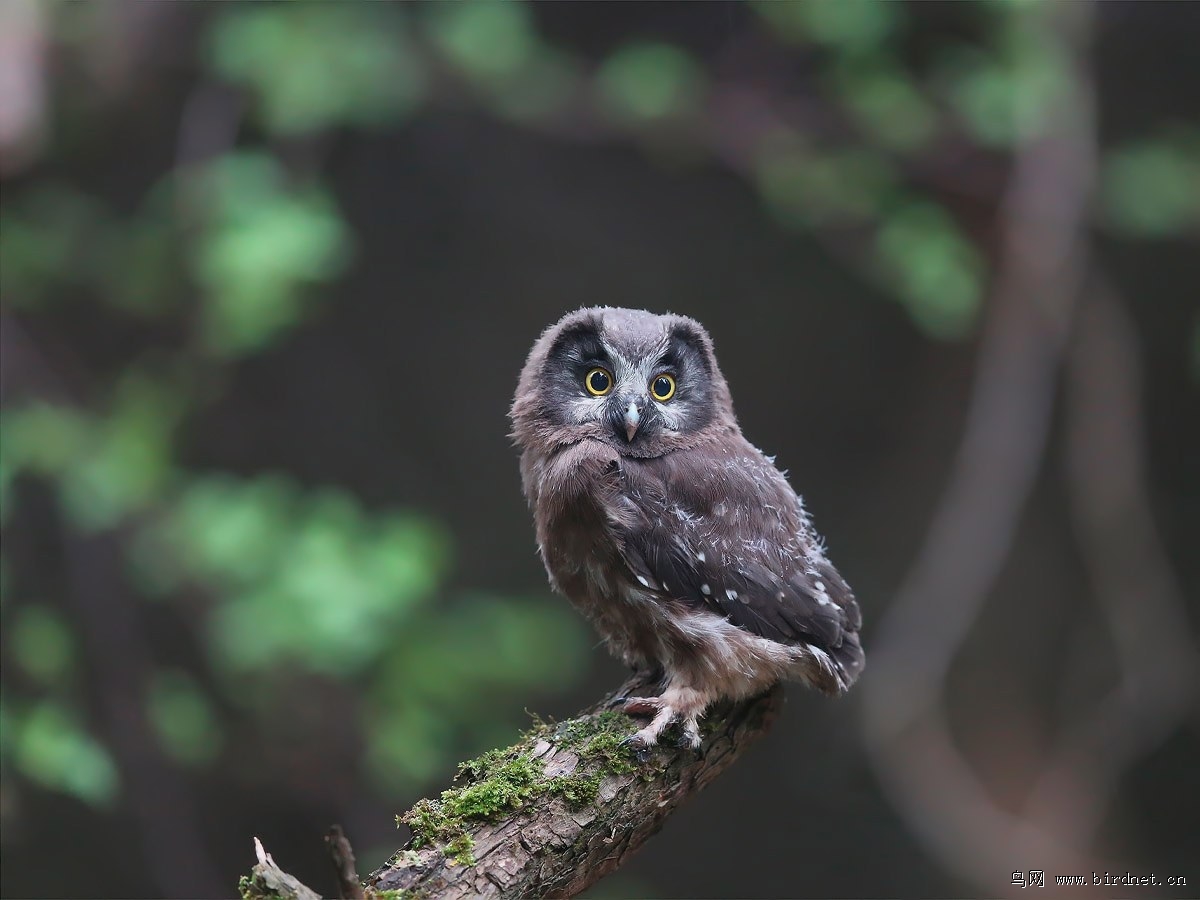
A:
[308,579]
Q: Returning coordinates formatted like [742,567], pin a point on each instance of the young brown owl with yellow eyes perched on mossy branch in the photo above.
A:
[663,525]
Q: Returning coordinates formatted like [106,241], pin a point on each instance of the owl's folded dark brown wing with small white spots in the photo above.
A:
[723,531]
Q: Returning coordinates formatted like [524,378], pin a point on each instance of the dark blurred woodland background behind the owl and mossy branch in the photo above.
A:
[269,274]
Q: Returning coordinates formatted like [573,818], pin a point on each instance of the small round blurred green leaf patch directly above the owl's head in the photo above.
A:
[645,81]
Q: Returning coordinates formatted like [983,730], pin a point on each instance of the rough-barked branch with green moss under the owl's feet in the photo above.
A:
[557,812]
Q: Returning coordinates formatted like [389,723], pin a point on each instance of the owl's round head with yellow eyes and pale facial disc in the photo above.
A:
[643,383]
